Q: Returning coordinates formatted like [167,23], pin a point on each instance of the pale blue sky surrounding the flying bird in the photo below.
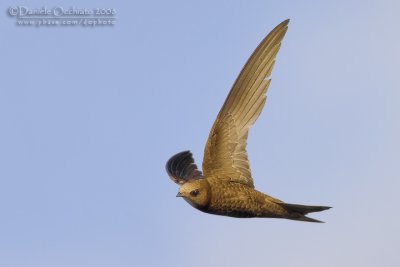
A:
[89,117]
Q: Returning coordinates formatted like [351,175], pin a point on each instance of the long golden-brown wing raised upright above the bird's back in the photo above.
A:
[225,155]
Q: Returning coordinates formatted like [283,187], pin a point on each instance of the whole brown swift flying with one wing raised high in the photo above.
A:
[226,185]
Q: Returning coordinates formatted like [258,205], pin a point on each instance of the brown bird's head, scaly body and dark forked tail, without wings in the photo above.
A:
[221,197]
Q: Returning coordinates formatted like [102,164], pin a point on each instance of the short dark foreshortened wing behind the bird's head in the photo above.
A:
[181,168]
